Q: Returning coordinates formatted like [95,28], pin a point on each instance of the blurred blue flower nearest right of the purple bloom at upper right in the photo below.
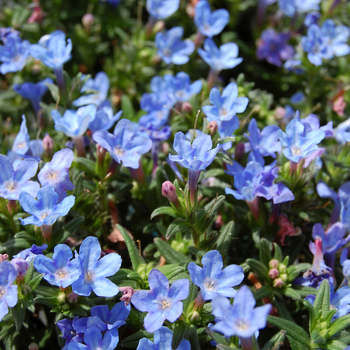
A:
[317,45]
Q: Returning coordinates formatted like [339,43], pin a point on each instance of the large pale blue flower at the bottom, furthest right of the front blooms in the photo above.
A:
[241,318]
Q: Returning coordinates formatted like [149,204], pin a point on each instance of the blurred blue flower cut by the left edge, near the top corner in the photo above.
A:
[13,54]
